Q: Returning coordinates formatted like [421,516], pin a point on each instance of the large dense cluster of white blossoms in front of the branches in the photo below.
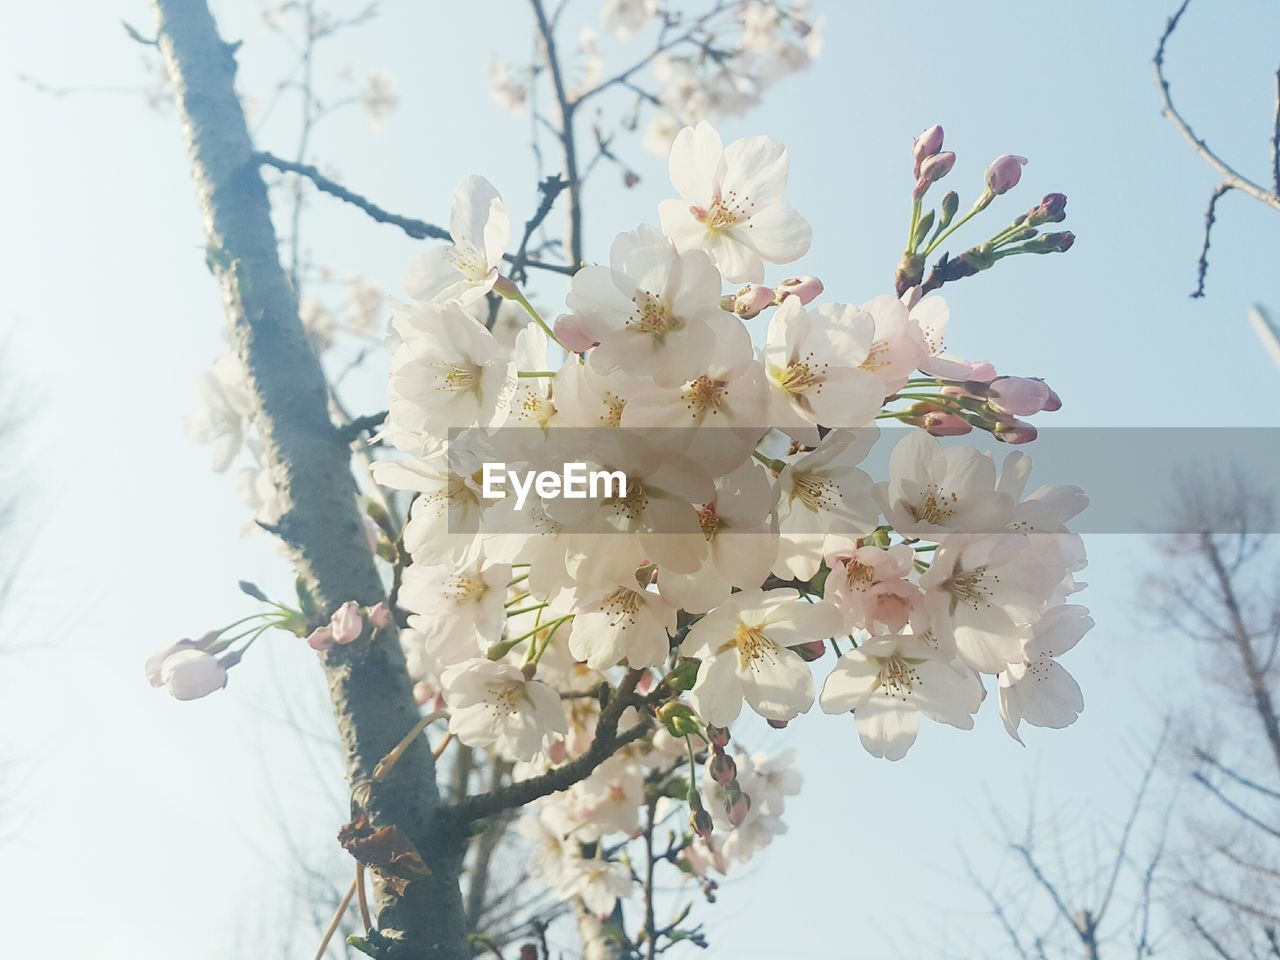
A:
[747,545]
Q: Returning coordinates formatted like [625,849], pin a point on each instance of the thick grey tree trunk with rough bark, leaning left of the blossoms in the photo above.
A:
[310,467]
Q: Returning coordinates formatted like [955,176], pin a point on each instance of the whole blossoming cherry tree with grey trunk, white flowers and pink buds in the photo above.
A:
[559,676]
